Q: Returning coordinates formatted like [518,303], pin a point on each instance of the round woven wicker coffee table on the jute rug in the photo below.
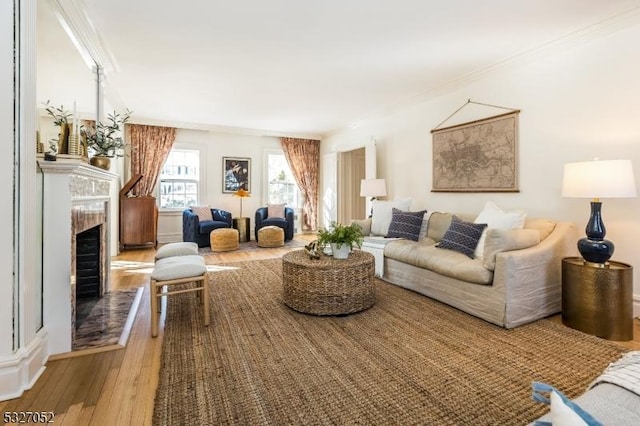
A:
[328,286]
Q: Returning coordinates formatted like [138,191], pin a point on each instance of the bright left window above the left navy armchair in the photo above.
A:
[179,179]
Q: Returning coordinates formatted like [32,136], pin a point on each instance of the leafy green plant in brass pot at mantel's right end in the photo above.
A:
[105,140]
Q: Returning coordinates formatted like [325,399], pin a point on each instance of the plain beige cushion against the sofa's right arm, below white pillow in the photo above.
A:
[499,240]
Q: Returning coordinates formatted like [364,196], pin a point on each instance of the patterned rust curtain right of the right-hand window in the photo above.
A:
[303,156]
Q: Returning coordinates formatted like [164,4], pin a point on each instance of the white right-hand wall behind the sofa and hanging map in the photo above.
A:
[576,104]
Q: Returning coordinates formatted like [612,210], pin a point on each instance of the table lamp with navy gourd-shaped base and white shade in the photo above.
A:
[598,179]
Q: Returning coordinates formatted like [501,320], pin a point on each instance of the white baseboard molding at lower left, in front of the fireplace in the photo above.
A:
[20,371]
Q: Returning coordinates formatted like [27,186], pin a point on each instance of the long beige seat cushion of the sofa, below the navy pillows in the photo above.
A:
[424,254]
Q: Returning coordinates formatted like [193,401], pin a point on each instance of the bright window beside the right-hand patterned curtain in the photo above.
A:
[282,187]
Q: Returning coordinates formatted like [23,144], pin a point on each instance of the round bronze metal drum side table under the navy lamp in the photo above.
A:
[598,298]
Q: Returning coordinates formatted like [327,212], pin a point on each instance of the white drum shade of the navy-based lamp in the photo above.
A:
[599,179]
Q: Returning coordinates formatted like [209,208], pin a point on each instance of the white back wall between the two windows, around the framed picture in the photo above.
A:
[213,147]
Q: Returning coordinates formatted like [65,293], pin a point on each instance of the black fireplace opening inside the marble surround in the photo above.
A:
[88,279]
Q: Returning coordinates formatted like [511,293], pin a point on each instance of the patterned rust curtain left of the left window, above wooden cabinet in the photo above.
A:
[150,146]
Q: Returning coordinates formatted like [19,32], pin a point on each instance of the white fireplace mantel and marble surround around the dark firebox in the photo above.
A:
[76,197]
